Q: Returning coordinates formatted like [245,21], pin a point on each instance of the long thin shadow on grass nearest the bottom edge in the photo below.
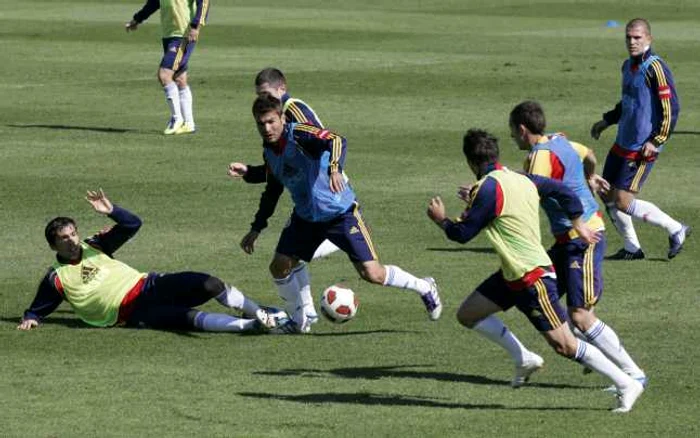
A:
[369,399]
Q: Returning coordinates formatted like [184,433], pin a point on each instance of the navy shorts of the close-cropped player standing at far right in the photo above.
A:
[627,170]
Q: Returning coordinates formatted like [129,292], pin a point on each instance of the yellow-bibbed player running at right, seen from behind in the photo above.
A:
[505,205]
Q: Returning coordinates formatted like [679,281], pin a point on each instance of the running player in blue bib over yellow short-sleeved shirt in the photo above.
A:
[578,264]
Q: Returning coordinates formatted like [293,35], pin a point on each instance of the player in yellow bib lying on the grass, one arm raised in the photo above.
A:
[105,292]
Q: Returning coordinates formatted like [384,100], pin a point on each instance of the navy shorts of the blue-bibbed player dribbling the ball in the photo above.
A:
[349,232]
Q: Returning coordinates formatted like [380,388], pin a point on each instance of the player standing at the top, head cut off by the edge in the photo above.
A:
[181,22]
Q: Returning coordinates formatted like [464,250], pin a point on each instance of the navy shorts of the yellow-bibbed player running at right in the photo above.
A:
[538,302]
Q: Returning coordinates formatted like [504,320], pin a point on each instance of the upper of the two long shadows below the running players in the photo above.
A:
[399,371]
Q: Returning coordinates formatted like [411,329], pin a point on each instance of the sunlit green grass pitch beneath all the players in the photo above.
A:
[80,108]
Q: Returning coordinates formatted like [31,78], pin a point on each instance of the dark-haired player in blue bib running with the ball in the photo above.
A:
[309,162]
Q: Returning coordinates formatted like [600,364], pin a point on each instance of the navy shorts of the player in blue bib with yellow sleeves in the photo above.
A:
[579,268]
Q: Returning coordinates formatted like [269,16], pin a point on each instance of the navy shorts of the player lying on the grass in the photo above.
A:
[167,300]
